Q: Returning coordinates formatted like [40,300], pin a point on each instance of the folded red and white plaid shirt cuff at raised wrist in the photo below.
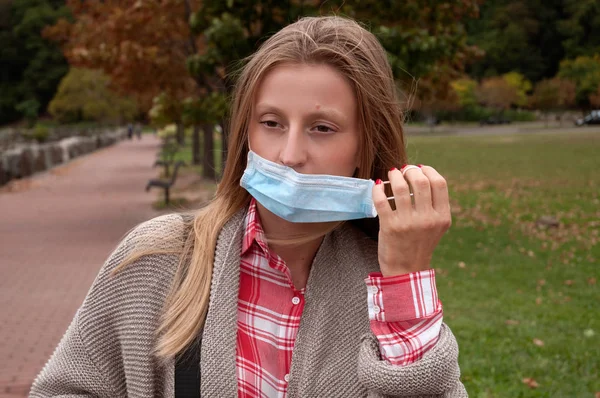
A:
[402,297]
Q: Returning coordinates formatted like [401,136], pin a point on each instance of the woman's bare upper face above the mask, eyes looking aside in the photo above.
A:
[305,117]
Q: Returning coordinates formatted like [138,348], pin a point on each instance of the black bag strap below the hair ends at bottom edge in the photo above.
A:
[187,373]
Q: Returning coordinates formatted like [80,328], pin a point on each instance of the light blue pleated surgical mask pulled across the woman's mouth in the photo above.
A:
[299,197]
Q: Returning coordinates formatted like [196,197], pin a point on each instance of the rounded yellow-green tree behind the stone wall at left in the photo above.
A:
[84,95]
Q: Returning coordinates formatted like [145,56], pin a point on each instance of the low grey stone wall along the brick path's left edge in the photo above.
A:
[27,159]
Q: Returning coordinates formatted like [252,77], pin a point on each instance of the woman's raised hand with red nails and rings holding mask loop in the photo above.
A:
[409,234]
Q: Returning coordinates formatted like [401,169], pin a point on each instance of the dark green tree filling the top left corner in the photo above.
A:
[32,66]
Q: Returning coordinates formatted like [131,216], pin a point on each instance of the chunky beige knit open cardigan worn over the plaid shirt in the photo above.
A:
[107,349]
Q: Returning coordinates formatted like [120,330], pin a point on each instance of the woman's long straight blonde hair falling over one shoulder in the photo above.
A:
[335,41]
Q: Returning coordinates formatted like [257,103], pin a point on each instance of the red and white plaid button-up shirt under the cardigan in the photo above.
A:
[404,311]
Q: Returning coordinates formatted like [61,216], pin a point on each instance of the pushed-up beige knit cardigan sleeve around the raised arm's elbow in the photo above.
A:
[436,374]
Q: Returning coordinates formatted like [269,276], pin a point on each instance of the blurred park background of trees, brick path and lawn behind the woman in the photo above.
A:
[113,112]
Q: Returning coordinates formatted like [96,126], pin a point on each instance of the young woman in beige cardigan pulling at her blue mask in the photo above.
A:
[268,284]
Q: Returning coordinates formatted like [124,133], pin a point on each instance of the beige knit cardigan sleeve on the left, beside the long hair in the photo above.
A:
[107,350]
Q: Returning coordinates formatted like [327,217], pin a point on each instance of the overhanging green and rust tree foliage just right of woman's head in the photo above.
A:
[425,41]
